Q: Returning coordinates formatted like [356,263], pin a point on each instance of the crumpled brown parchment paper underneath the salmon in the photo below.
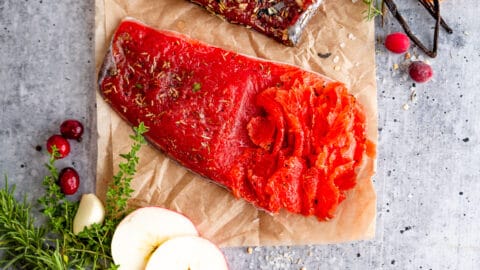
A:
[338,28]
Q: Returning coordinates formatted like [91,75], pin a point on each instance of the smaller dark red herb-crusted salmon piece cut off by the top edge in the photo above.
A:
[282,20]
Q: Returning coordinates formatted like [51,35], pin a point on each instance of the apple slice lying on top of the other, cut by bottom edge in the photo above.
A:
[187,252]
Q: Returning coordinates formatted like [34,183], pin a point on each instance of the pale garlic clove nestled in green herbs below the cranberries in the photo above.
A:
[90,211]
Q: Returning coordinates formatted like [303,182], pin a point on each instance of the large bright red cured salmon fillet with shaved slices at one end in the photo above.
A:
[275,135]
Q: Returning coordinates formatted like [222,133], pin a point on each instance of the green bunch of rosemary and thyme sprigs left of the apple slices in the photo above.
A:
[54,245]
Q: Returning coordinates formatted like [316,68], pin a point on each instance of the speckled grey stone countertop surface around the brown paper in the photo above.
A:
[428,179]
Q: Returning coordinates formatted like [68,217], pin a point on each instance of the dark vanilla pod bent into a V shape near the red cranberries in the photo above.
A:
[436,6]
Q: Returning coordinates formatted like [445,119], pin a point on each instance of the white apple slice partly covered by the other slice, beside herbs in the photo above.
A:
[142,231]
